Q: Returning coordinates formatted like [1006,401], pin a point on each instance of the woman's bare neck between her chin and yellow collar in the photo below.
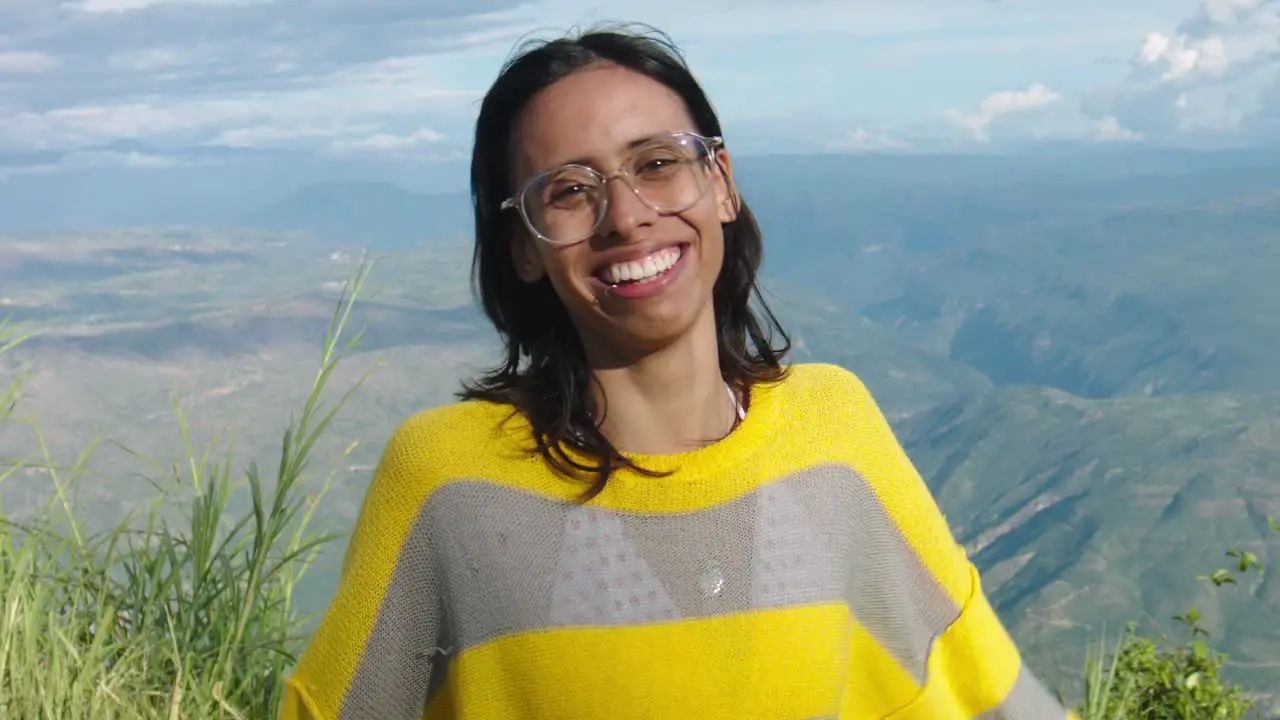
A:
[669,402]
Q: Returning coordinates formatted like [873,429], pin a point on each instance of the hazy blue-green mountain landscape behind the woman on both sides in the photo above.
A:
[1078,353]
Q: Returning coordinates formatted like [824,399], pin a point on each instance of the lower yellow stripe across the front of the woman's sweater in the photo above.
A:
[789,664]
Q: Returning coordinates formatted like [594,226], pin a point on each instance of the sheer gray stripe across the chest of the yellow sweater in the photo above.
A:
[505,562]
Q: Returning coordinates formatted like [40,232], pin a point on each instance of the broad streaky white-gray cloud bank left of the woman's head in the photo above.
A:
[327,75]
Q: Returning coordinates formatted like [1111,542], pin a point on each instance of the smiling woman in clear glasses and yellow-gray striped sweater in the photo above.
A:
[642,513]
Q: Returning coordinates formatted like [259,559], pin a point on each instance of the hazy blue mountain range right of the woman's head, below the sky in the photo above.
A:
[1053,282]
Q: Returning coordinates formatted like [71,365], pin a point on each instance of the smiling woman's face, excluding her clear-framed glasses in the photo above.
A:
[600,117]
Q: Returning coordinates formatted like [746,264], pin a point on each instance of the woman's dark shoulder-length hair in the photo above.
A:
[545,375]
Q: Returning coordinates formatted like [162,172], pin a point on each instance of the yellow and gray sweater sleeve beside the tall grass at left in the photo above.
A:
[373,653]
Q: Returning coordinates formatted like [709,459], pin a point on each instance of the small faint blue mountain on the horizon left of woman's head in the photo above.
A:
[369,213]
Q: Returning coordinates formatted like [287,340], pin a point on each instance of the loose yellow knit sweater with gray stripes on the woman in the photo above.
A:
[798,569]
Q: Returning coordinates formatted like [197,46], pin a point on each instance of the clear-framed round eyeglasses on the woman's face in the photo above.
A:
[669,174]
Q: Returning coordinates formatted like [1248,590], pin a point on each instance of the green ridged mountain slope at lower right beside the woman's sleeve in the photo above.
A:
[1086,514]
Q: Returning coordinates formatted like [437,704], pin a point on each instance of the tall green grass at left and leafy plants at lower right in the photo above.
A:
[193,617]
